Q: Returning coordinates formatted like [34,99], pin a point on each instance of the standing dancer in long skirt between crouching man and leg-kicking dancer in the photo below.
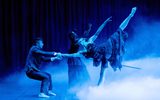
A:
[77,72]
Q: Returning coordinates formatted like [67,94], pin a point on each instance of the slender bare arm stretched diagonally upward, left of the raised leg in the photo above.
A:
[94,37]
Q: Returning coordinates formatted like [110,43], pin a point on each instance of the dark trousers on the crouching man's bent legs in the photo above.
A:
[46,79]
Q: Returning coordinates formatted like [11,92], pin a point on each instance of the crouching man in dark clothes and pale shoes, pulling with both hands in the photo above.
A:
[33,62]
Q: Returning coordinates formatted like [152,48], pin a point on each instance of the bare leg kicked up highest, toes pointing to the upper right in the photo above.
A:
[126,21]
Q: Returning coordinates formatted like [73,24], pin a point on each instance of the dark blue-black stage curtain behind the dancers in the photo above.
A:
[23,20]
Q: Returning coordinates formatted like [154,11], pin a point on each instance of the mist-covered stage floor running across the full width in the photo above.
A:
[133,82]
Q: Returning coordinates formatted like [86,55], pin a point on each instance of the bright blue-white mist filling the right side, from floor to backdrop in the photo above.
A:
[143,51]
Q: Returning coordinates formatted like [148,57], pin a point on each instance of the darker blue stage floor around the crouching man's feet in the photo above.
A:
[20,87]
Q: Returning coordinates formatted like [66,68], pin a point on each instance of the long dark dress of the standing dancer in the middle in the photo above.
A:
[77,72]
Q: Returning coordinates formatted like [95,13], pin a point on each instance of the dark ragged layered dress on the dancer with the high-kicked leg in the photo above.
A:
[112,50]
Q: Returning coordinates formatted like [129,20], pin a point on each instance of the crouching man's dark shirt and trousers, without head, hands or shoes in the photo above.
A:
[33,62]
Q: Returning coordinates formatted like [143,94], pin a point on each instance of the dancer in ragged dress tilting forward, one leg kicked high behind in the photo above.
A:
[110,51]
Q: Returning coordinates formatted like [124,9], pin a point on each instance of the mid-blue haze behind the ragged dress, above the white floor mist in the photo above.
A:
[145,39]
